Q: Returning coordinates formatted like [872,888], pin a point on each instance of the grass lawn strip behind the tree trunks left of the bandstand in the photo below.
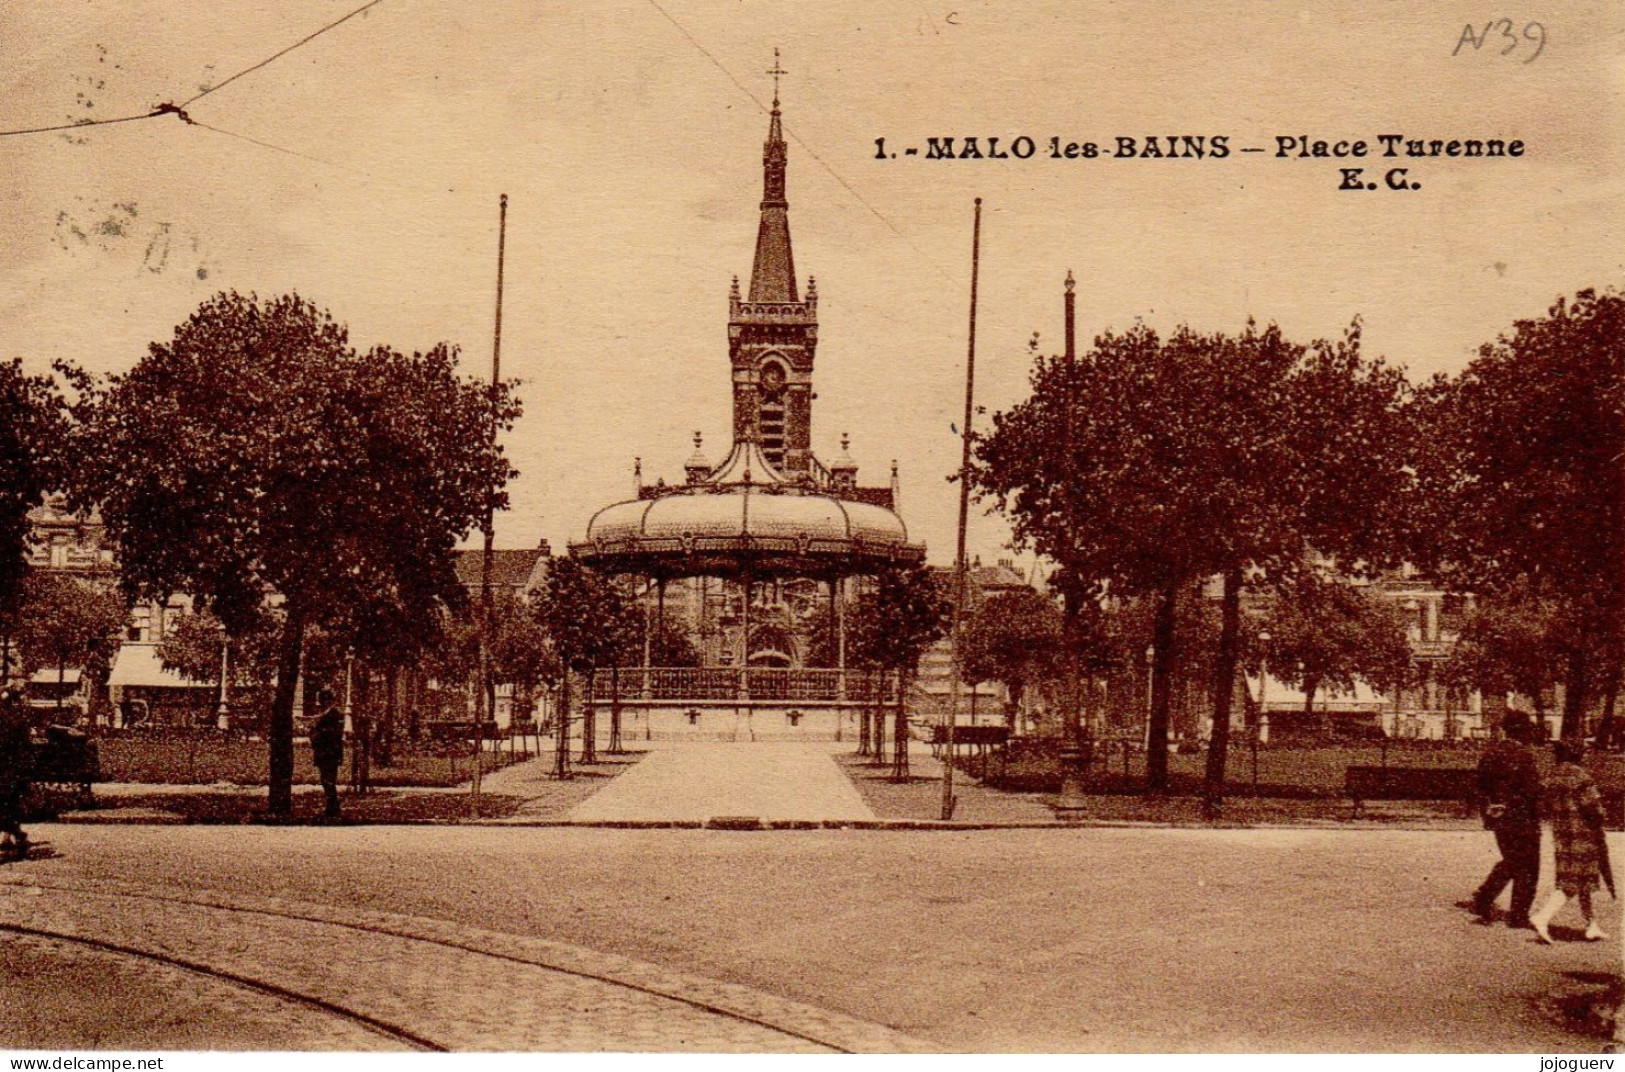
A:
[210,761]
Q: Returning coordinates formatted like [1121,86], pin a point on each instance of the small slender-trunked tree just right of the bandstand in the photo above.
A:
[893,626]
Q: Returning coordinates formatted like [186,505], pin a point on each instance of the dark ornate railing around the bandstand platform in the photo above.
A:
[766,685]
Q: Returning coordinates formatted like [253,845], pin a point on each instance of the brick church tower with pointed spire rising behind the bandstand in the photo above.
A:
[773,334]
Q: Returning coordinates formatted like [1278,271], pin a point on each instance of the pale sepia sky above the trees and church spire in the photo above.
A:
[363,171]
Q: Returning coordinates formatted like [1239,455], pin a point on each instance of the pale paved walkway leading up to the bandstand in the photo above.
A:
[695,780]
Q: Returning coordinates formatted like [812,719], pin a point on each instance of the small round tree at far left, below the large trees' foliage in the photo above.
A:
[69,623]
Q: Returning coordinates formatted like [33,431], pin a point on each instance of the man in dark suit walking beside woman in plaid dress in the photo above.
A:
[1510,784]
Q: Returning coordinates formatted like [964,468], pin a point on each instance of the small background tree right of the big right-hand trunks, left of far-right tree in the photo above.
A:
[1328,634]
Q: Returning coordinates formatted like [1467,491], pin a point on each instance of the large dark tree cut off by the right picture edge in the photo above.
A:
[1528,480]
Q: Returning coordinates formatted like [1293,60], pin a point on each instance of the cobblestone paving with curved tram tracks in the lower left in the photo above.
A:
[435,983]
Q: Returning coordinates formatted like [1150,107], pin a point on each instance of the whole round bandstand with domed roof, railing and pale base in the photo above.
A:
[747,548]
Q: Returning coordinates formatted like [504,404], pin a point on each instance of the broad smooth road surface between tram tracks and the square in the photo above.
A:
[1057,940]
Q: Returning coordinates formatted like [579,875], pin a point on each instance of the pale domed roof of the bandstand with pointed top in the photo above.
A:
[747,519]
